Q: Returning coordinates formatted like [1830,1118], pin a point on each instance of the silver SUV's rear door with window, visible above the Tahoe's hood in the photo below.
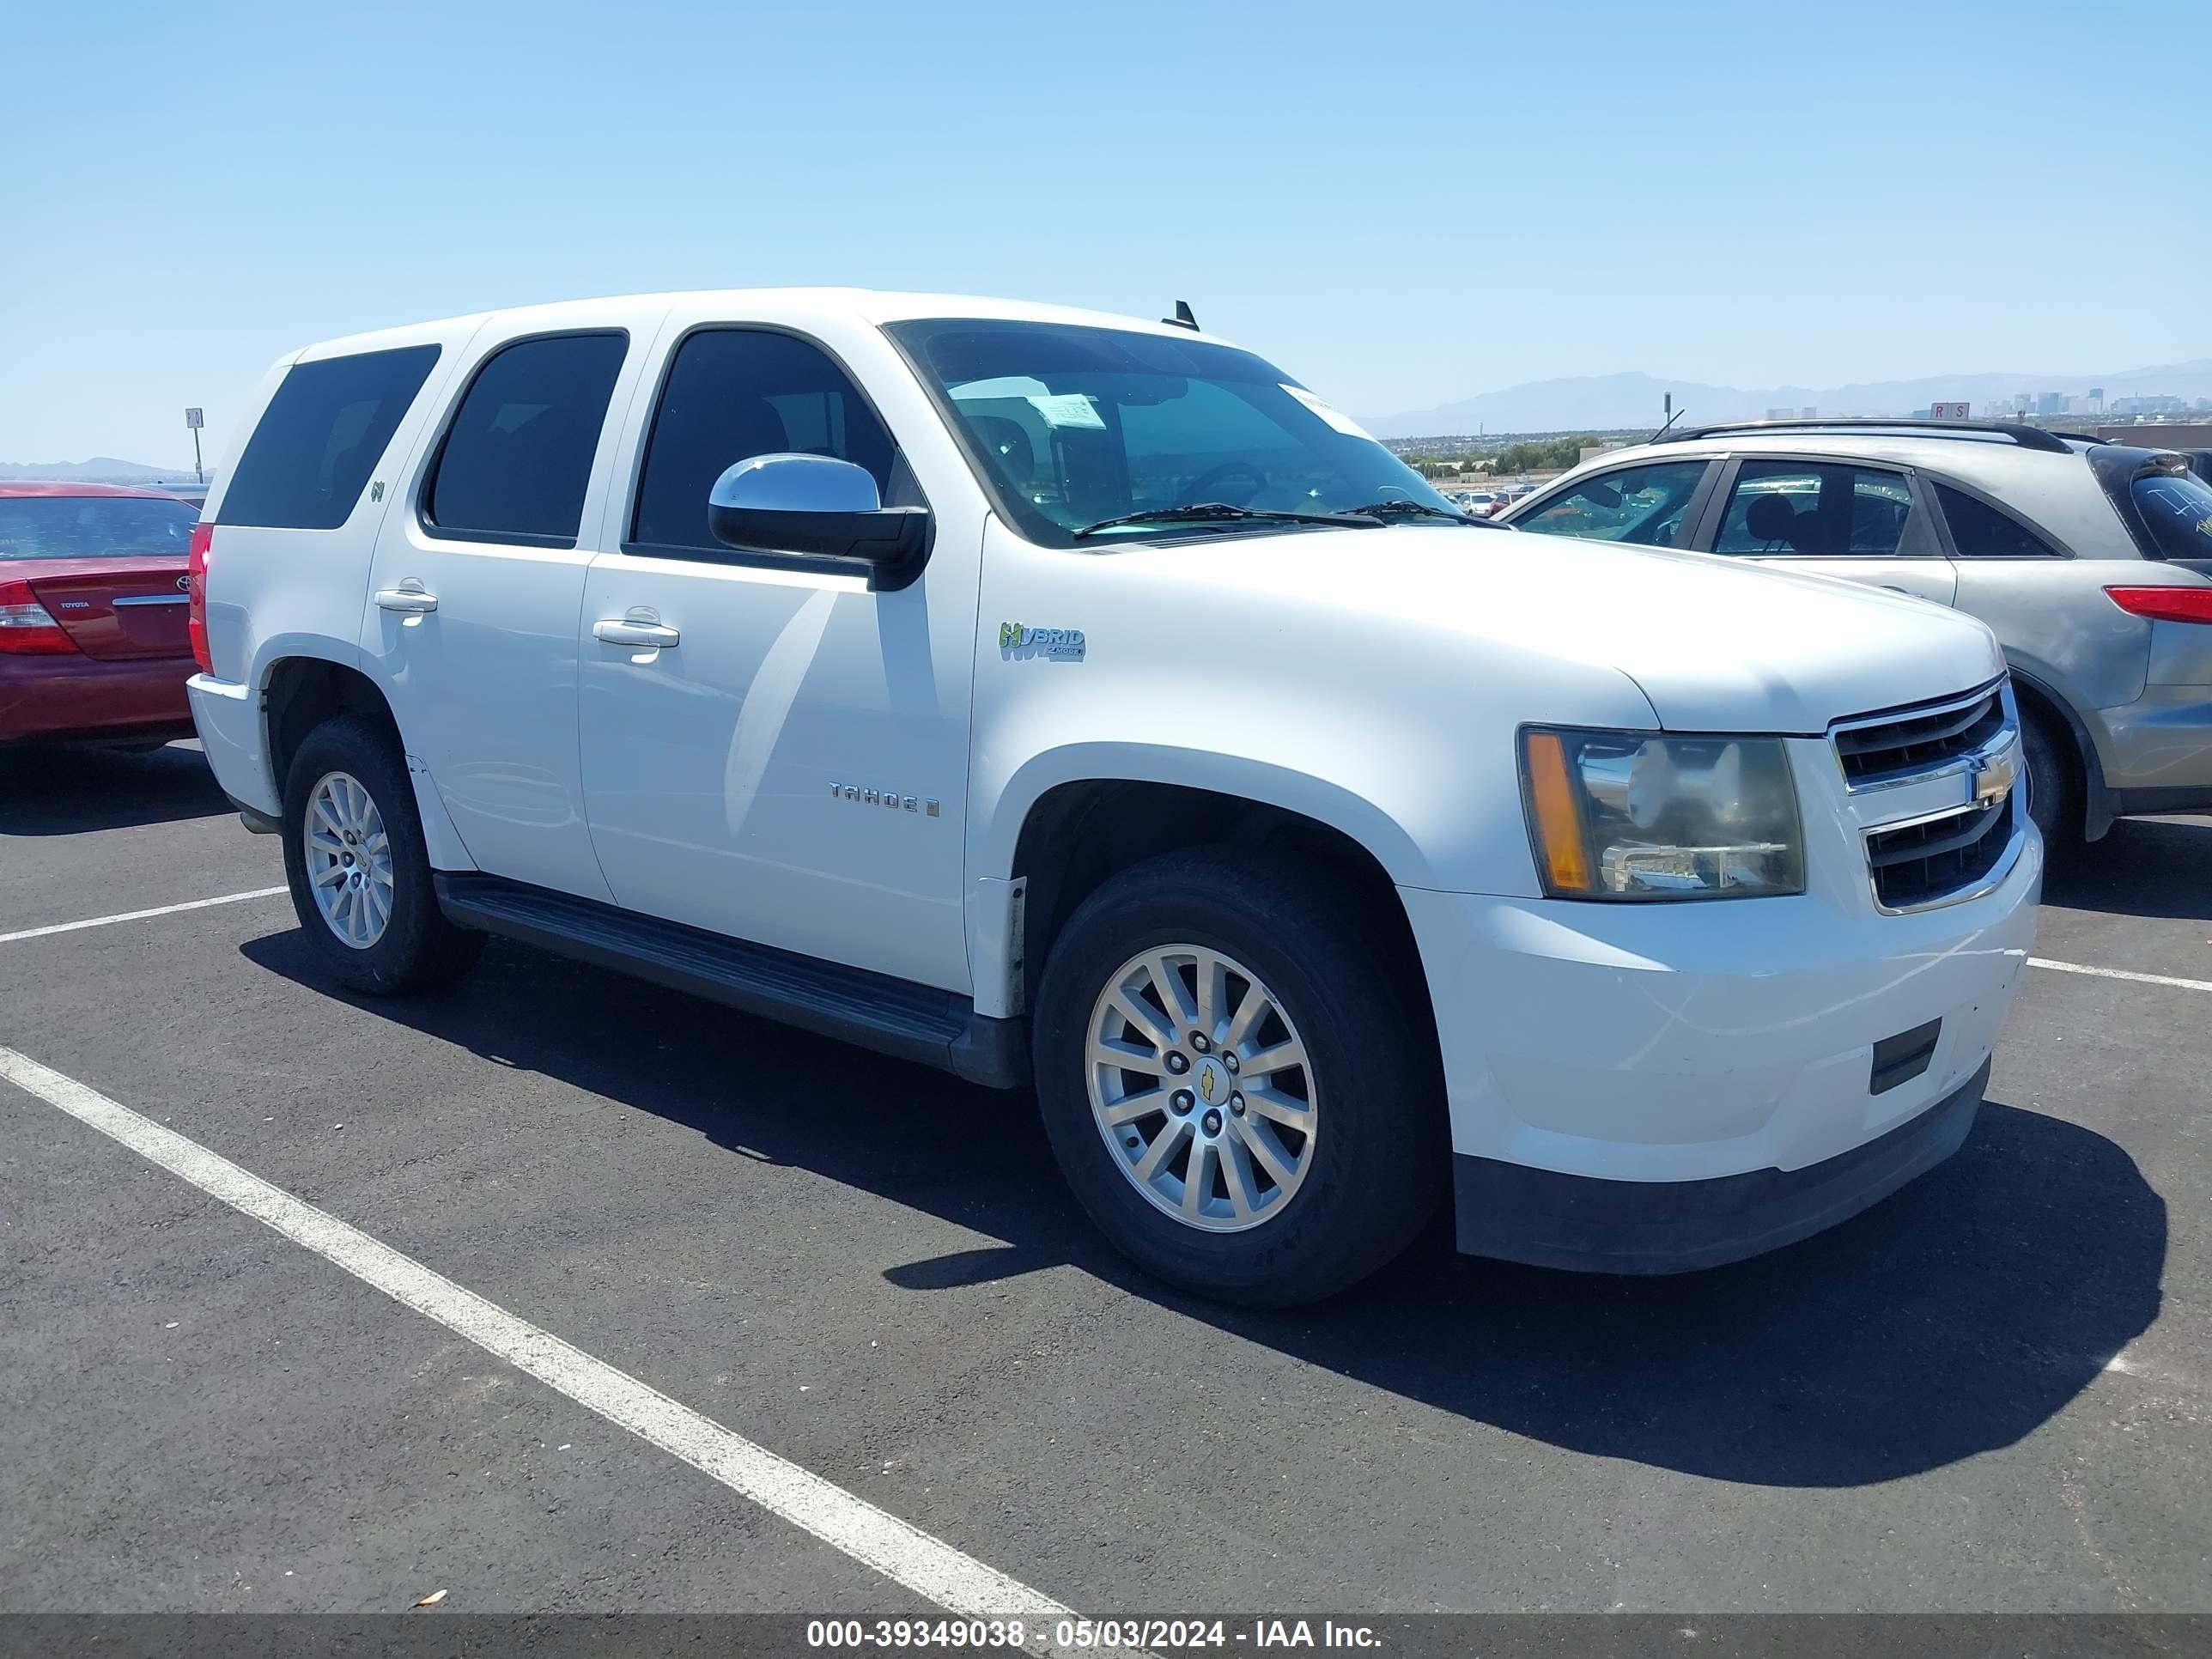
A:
[1830,517]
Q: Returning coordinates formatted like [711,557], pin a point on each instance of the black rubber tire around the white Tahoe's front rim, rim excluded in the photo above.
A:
[1381,1145]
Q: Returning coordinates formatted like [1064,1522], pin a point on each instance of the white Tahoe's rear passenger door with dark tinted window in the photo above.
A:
[472,603]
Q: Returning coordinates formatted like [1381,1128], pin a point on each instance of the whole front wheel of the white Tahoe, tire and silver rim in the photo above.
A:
[1240,1078]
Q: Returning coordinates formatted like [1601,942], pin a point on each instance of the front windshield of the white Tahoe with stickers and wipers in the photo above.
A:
[1076,426]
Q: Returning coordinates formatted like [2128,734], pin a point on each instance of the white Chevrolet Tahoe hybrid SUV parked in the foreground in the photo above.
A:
[1081,702]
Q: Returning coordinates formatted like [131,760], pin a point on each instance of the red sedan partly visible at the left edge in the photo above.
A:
[94,614]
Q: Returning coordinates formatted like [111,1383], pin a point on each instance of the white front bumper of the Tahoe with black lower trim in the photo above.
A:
[1689,1045]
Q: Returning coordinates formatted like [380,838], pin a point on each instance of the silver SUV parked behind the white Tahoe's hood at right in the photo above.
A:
[2089,561]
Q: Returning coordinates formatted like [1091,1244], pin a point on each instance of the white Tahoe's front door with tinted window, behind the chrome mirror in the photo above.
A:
[775,753]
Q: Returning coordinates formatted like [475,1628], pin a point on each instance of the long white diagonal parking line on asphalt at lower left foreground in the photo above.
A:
[853,1525]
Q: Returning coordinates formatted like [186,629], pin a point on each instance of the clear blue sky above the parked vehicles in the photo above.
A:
[1401,205]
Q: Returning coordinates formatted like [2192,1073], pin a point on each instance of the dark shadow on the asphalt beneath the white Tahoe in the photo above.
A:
[1948,1322]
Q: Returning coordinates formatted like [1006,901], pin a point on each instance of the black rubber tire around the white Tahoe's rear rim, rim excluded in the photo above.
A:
[417,946]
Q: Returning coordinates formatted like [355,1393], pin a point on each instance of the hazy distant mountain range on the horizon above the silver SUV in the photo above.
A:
[1609,401]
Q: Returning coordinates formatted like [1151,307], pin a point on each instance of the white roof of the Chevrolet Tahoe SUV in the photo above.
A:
[771,304]
